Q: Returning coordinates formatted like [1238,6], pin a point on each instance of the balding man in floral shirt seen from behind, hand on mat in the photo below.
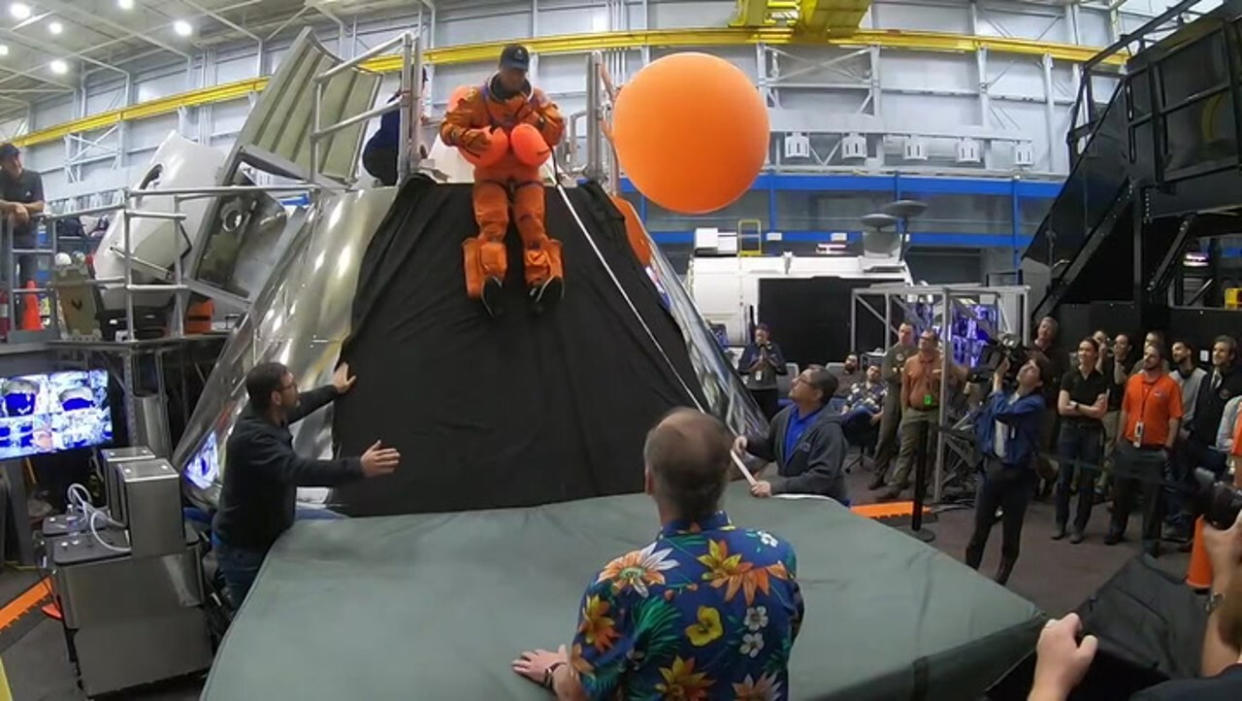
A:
[706,611]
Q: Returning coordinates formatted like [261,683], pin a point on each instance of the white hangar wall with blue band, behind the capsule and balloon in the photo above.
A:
[1002,101]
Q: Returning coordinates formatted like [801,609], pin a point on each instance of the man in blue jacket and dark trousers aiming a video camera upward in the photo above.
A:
[1009,439]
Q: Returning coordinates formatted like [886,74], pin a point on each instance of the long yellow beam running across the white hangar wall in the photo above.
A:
[593,42]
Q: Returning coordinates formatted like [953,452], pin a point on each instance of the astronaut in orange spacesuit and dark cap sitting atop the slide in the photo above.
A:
[504,103]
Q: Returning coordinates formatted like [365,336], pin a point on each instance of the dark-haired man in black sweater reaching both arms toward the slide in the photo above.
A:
[263,473]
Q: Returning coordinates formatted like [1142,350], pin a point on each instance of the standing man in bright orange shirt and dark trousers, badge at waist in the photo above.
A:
[1151,417]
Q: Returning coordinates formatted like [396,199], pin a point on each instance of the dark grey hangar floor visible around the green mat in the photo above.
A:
[1056,576]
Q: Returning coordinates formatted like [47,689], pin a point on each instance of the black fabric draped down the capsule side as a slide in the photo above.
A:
[514,412]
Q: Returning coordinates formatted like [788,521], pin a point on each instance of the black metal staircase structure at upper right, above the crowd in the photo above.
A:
[1154,170]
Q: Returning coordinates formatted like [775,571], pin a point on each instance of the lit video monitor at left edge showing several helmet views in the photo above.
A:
[54,412]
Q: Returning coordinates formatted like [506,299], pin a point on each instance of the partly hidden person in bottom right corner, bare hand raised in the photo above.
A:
[1063,662]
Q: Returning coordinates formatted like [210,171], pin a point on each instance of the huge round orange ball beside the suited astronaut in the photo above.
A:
[691,132]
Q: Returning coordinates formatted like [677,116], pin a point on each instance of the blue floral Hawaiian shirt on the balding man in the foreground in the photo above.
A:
[709,611]
